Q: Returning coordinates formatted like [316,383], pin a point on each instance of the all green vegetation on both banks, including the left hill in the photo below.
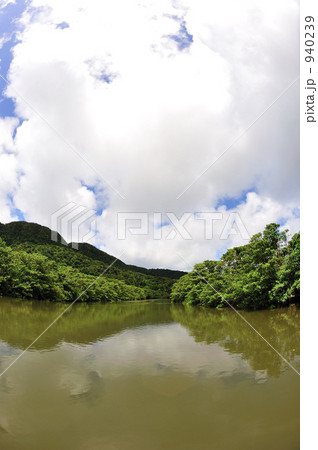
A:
[261,274]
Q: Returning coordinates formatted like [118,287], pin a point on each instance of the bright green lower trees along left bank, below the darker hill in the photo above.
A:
[32,275]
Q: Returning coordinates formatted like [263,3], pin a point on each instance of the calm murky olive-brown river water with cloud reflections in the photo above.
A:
[147,375]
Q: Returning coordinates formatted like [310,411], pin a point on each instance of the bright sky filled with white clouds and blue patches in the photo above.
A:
[173,109]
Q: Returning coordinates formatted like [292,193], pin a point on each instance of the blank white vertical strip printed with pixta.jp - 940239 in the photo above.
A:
[309,247]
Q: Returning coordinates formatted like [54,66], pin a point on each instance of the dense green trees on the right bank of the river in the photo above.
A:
[262,274]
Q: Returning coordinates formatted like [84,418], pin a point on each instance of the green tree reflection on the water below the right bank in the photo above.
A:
[279,327]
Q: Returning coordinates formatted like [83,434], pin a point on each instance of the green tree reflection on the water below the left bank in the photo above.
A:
[22,321]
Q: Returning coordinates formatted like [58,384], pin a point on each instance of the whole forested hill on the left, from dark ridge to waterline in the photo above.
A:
[34,266]
